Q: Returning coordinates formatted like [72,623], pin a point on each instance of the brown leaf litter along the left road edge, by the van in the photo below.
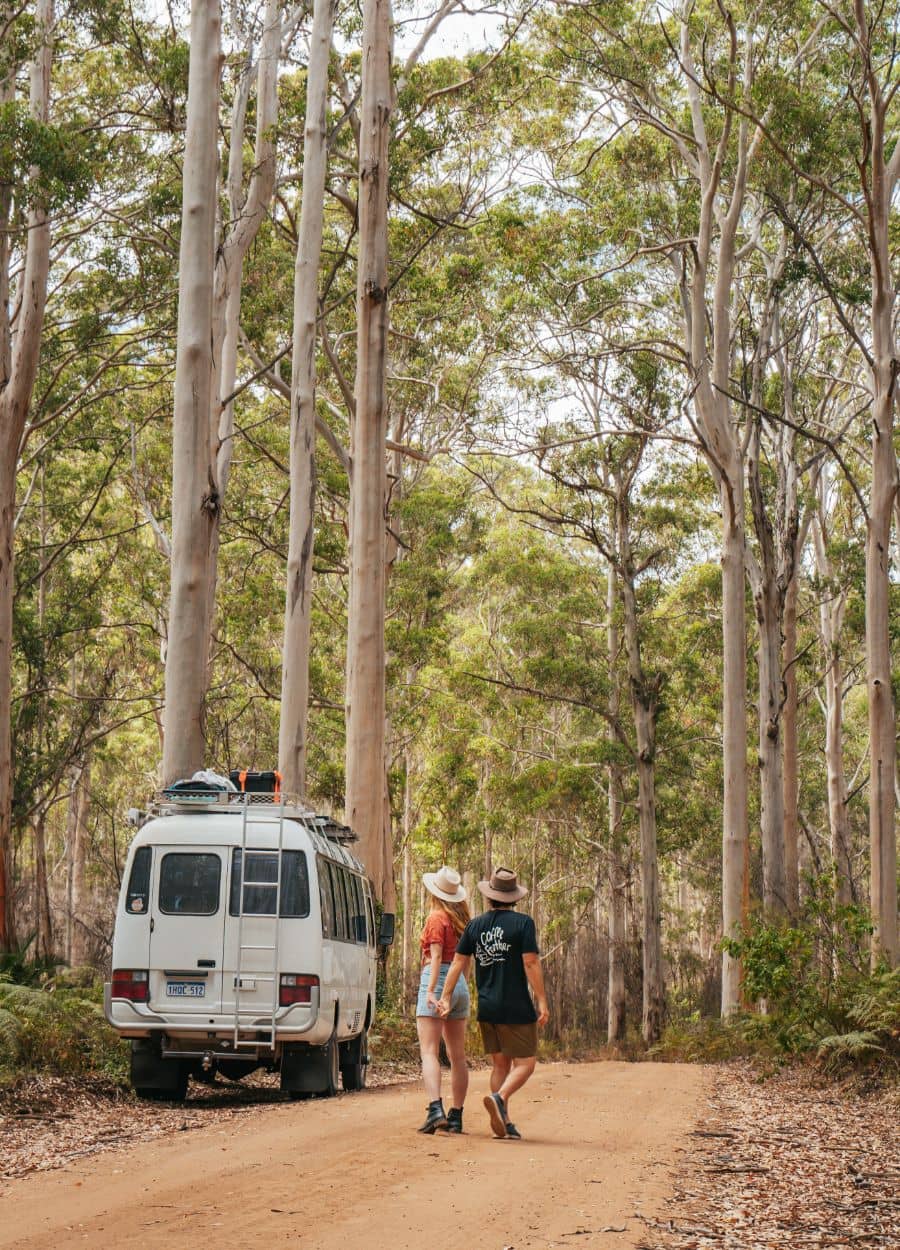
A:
[47,1122]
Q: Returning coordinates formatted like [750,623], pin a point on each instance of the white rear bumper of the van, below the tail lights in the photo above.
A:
[138,1021]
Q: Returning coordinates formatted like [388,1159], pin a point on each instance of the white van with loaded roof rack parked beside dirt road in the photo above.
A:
[246,938]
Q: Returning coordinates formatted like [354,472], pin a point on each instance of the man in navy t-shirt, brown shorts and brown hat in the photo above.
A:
[507,962]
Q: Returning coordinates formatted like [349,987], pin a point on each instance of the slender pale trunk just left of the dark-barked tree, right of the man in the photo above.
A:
[616,1006]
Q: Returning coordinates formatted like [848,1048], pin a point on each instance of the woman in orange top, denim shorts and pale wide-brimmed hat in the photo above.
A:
[448,918]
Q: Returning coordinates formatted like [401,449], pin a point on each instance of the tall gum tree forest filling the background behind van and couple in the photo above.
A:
[631,477]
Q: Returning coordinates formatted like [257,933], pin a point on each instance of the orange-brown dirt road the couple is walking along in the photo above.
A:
[351,1173]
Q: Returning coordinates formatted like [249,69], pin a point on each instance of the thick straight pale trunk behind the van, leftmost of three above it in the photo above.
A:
[196,494]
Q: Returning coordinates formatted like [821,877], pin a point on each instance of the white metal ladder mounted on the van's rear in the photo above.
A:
[249,1032]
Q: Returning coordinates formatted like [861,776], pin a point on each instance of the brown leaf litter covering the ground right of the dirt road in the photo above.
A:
[787,1163]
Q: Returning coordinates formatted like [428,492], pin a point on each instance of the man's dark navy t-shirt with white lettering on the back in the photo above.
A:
[498,941]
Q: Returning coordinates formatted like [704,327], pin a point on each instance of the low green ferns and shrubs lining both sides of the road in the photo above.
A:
[52,1024]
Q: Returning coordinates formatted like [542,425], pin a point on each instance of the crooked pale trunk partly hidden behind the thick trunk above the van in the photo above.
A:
[247,216]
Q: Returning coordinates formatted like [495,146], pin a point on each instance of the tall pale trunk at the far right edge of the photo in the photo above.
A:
[879,181]
